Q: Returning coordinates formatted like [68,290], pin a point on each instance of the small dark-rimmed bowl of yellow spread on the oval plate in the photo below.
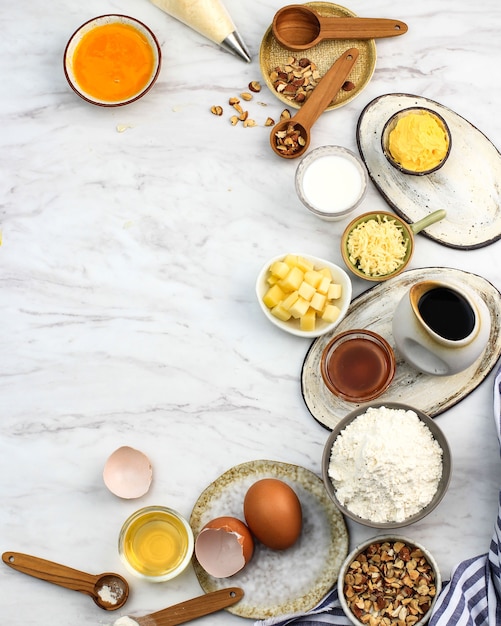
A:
[416,141]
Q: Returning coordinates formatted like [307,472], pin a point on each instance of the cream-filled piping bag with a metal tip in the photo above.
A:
[209,18]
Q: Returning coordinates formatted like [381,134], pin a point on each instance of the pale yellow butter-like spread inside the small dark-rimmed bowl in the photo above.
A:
[418,142]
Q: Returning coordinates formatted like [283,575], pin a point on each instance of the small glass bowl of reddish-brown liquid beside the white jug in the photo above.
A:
[357,365]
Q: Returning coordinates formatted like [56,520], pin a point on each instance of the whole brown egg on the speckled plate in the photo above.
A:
[272,511]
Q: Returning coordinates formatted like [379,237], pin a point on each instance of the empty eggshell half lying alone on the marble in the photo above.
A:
[128,473]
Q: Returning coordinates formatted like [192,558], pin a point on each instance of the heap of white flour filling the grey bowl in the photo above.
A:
[385,465]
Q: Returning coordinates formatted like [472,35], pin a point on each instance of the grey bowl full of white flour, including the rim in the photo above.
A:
[386,465]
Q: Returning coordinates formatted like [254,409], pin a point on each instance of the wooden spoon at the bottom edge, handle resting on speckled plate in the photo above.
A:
[191,609]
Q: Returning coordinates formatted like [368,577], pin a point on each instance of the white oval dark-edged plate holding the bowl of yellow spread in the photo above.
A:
[467,186]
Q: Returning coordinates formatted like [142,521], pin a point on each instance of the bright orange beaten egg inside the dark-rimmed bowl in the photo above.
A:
[113,62]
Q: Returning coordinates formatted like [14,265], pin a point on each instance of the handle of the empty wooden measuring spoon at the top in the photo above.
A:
[360,27]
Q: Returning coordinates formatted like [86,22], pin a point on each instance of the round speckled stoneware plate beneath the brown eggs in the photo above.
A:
[277,582]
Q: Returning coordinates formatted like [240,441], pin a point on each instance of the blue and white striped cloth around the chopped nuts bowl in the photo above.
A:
[471,598]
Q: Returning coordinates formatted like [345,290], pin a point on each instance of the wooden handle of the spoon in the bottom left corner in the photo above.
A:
[51,572]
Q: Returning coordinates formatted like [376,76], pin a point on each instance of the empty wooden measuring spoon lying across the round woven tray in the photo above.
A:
[298,27]
